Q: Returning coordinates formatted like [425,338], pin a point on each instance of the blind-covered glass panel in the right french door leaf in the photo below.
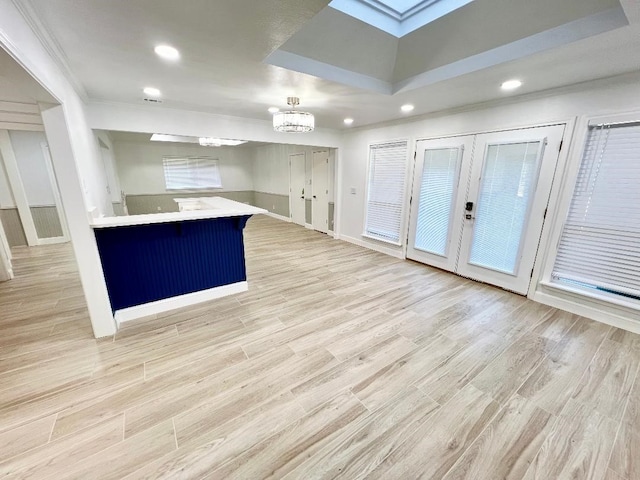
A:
[508,182]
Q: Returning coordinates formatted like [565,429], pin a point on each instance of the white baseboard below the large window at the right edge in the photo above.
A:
[580,304]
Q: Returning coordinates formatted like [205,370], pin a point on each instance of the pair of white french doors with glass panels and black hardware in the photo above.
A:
[479,203]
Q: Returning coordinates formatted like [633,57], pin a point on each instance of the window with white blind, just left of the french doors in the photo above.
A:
[385,193]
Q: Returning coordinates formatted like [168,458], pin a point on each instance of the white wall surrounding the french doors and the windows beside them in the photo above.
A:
[571,105]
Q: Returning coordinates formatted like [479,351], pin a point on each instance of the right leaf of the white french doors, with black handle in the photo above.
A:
[511,179]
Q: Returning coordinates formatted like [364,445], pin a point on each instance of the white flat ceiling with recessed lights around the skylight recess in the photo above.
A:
[108,45]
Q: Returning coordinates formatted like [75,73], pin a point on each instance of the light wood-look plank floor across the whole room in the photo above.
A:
[338,363]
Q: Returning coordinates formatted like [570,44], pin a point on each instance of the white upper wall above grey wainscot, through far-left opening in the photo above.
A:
[27,147]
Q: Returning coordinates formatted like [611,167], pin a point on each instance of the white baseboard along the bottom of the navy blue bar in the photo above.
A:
[167,304]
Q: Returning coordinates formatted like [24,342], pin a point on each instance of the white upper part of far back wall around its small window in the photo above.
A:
[140,170]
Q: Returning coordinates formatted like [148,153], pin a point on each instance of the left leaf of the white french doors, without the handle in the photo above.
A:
[439,189]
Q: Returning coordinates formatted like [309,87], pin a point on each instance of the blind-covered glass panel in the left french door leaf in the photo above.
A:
[437,194]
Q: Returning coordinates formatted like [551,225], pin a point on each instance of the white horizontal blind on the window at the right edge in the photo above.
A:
[600,244]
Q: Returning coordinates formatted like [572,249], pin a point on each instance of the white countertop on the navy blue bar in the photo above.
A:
[211,207]
